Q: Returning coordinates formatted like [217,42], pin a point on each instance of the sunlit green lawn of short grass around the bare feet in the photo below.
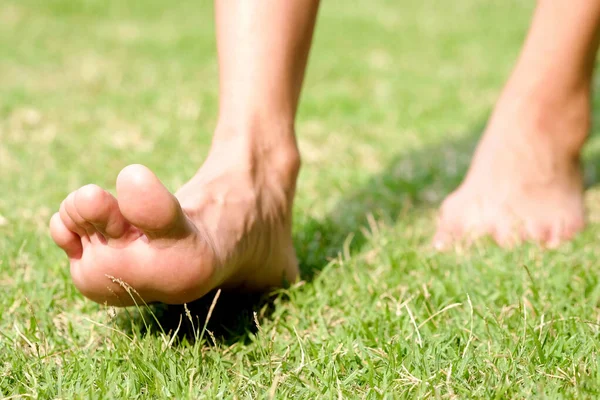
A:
[394,101]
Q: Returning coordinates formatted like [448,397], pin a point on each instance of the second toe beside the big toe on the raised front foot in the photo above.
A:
[101,209]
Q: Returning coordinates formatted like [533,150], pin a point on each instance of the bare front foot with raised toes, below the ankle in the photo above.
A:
[229,227]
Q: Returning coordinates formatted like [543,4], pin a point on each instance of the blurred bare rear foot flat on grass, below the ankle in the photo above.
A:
[525,181]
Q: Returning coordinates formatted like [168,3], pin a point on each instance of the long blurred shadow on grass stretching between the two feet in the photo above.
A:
[412,181]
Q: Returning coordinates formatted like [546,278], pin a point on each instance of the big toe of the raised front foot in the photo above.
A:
[147,204]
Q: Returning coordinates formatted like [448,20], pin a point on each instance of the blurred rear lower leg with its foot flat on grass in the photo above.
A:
[525,181]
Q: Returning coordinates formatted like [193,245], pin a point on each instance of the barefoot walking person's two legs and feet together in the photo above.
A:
[230,225]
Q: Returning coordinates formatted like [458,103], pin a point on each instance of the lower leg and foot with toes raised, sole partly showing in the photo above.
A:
[230,225]
